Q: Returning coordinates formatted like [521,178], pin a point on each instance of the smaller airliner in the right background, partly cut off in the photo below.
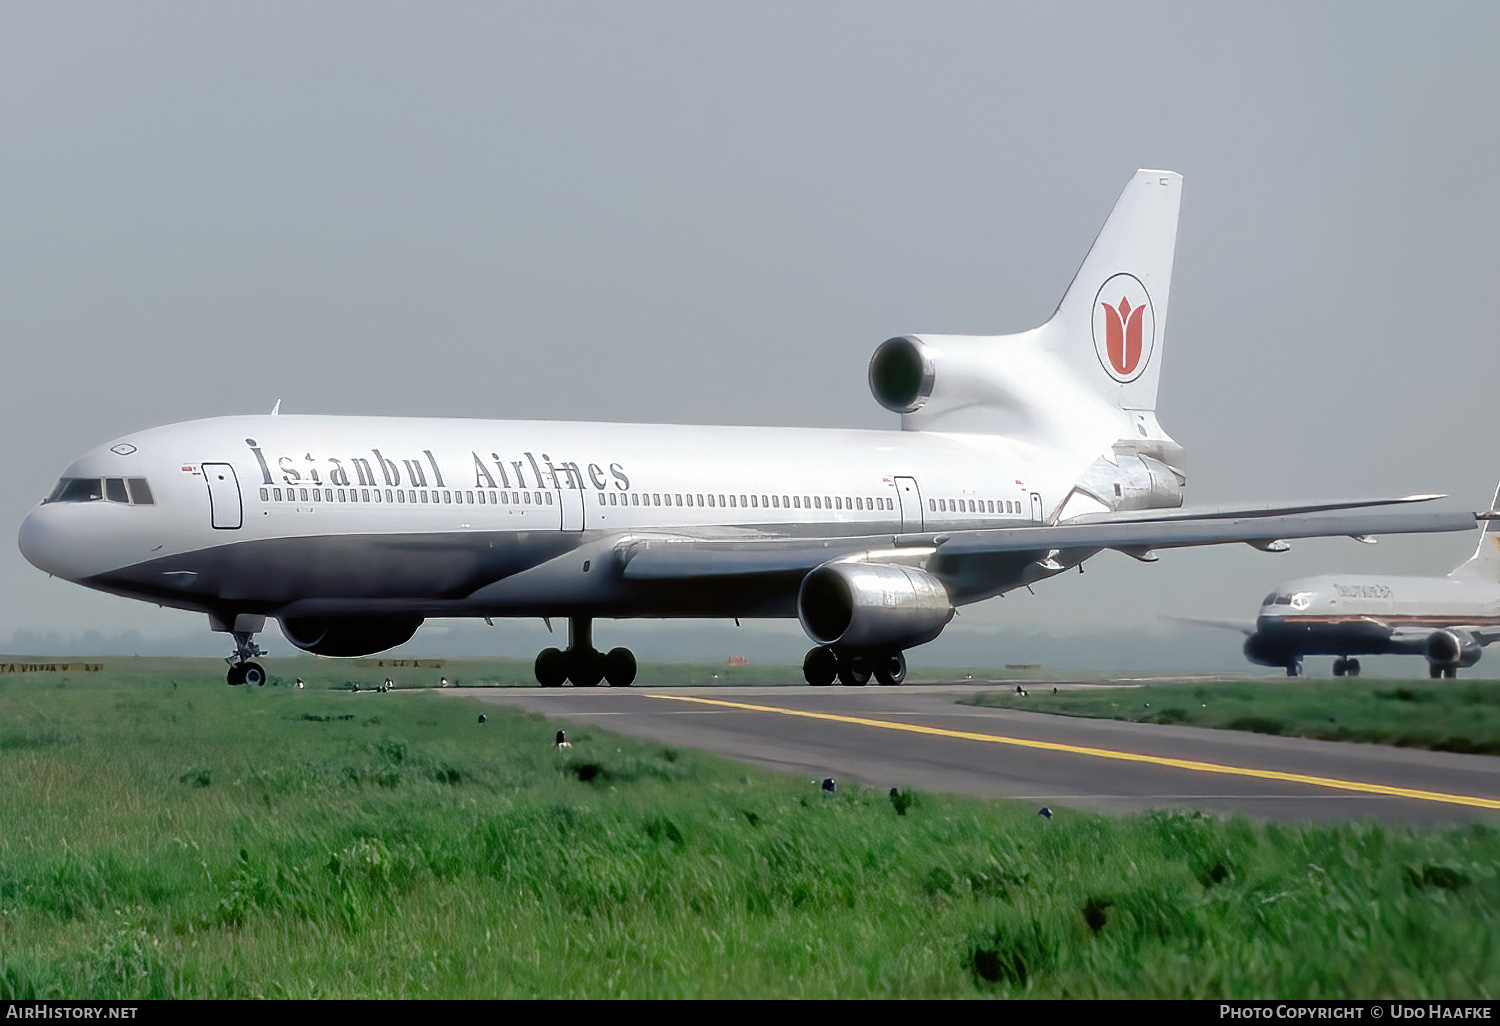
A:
[1447,620]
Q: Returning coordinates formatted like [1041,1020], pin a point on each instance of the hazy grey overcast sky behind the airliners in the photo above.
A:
[715,212]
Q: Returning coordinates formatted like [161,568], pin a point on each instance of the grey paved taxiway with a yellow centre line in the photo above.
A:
[920,737]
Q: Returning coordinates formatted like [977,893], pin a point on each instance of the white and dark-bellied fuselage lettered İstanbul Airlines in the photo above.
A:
[425,515]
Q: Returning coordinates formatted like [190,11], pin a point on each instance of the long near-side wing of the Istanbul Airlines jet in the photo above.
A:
[668,559]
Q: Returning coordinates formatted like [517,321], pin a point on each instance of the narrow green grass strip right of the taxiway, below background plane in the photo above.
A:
[1444,716]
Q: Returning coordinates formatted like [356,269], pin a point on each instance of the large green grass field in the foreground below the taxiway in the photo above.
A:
[163,835]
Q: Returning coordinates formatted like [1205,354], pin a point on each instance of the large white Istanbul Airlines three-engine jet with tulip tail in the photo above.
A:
[1019,458]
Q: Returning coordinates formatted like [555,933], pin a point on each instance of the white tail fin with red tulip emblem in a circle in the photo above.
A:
[1111,323]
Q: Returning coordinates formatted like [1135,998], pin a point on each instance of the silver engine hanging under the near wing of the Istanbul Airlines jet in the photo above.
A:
[872,605]
